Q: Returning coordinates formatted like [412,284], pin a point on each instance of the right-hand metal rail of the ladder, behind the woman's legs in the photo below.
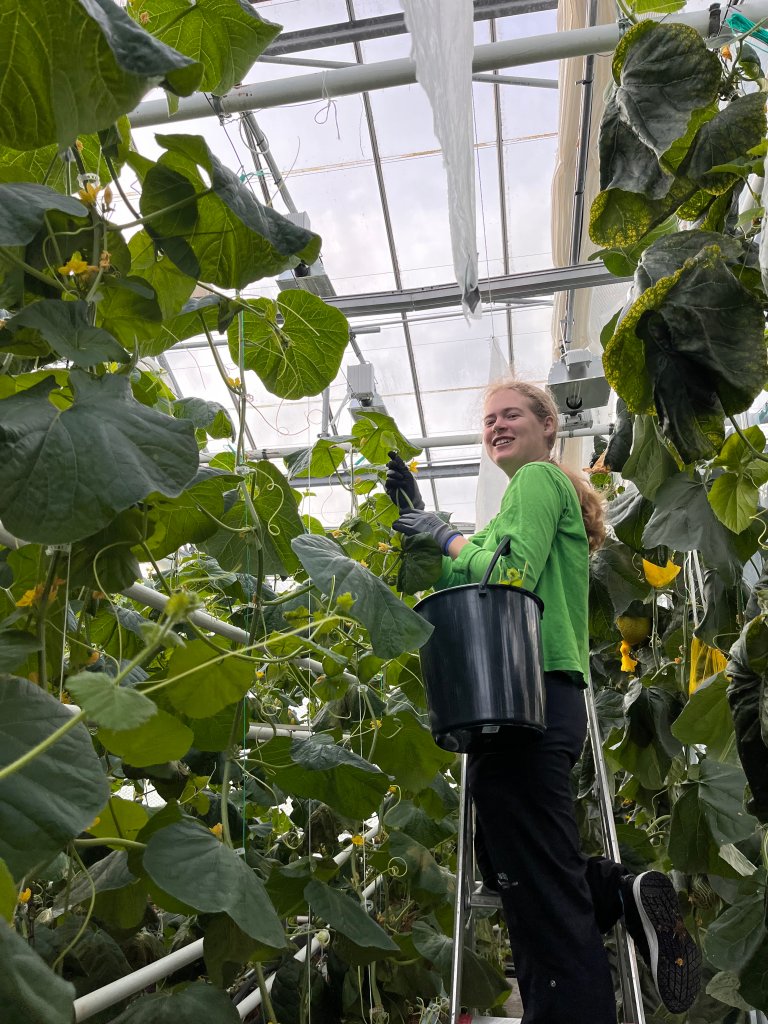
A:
[629,975]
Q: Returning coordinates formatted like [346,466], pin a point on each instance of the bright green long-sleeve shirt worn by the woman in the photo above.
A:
[542,517]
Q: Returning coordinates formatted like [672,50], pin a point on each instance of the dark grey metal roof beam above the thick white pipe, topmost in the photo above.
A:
[389,25]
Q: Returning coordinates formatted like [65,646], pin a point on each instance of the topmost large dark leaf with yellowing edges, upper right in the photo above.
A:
[665,74]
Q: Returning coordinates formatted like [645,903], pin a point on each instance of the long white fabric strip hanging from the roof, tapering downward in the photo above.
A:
[443,33]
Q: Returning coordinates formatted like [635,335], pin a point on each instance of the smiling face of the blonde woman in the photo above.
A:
[513,434]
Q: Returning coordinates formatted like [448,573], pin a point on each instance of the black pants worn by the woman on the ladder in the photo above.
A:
[557,902]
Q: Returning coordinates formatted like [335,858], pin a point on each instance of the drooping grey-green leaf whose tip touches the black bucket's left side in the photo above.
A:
[394,627]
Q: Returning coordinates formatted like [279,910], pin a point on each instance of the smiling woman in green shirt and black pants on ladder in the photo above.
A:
[557,902]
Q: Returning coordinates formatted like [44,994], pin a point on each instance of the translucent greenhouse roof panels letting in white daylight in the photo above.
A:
[367,170]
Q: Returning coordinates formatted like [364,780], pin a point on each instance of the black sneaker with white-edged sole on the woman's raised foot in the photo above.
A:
[653,917]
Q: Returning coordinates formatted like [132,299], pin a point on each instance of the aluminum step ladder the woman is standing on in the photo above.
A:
[467,900]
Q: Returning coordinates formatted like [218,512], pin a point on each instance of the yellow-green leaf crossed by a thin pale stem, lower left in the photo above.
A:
[209,685]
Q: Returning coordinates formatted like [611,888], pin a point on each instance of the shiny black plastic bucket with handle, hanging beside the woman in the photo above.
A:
[483,665]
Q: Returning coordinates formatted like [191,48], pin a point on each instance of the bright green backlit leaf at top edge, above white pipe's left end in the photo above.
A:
[226,36]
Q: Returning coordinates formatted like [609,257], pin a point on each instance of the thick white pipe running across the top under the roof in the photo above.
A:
[386,74]
